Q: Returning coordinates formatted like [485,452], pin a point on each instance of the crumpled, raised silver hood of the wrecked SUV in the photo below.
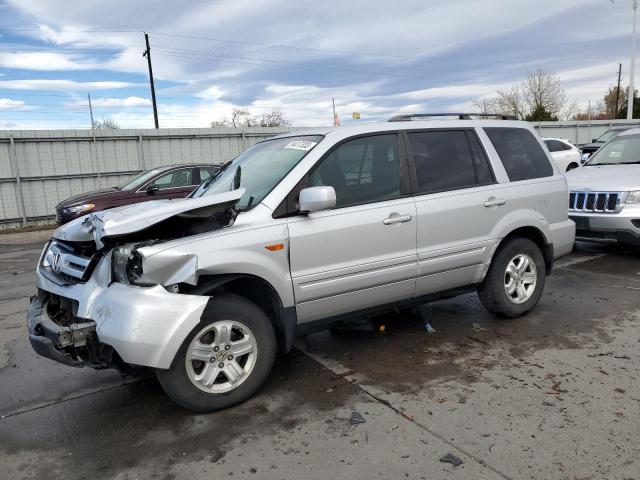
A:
[129,219]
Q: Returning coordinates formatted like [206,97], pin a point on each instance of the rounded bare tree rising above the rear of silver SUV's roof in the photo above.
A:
[542,91]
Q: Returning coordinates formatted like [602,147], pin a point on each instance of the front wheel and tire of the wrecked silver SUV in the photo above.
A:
[186,382]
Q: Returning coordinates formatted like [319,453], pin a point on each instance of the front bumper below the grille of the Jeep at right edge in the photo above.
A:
[622,227]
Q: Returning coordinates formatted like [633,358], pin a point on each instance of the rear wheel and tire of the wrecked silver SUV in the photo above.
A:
[493,290]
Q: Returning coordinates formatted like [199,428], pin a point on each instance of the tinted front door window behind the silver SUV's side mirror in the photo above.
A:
[362,170]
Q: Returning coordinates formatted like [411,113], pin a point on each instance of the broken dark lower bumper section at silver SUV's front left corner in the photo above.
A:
[63,337]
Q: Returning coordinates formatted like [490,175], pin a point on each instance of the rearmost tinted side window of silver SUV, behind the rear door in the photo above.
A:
[520,152]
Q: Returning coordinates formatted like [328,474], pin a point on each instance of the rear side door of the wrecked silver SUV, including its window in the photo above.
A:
[459,206]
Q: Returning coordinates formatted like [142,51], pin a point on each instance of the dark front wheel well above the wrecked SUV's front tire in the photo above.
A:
[260,292]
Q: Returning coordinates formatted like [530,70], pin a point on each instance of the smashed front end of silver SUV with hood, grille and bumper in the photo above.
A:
[90,309]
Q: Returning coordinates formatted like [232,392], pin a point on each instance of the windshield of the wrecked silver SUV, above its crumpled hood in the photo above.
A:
[258,169]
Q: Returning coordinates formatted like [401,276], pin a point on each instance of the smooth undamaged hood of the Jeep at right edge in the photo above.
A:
[605,178]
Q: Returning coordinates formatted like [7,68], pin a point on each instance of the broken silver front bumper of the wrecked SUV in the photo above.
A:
[144,326]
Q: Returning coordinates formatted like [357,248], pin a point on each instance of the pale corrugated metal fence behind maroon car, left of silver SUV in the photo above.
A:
[39,168]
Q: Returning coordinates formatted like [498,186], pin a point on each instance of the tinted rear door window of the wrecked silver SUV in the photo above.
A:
[444,161]
